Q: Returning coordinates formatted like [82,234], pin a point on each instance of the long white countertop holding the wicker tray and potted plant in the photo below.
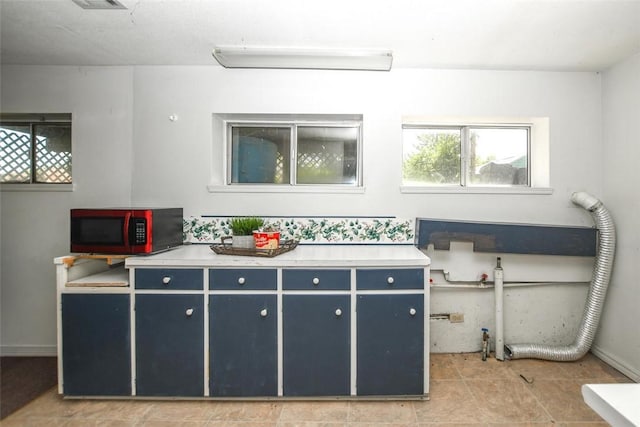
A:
[303,255]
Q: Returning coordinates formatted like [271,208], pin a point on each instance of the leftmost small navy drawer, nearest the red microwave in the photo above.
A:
[169,278]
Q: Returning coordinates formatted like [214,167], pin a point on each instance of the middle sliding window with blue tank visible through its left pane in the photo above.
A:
[295,153]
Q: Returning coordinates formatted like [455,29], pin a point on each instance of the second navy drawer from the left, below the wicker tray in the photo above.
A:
[251,279]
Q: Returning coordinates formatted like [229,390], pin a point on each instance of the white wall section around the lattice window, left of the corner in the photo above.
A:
[35,225]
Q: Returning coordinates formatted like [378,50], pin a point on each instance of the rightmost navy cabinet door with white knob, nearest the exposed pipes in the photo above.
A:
[390,345]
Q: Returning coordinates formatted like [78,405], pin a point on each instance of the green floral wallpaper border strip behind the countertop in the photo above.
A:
[343,230]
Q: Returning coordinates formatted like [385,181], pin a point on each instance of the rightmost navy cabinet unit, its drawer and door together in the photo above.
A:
[391,332]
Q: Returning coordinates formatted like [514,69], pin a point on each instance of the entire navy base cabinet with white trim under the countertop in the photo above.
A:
[249,331]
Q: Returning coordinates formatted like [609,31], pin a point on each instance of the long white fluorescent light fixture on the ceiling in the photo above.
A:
[310,59]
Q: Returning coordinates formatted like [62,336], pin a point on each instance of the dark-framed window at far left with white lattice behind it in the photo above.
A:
[35,149]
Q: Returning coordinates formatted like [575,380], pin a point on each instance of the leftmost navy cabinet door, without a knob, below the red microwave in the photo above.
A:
[96,345]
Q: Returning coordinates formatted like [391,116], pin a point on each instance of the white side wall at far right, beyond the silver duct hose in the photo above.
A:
[619,334]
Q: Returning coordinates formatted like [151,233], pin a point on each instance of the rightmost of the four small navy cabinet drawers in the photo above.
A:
[380,279]
